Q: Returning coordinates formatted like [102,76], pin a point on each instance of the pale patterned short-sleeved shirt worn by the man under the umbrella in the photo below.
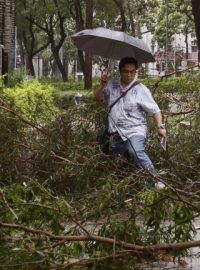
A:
[128,115]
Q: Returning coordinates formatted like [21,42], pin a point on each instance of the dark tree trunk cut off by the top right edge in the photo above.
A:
[196,14]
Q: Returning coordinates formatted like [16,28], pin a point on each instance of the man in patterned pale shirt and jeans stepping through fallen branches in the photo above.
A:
[127,121]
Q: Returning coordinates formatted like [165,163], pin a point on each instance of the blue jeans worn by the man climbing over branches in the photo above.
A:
[133,148]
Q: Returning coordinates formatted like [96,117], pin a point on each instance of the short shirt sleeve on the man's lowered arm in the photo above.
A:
[146,101]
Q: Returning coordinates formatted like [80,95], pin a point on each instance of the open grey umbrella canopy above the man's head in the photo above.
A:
[112,44]
